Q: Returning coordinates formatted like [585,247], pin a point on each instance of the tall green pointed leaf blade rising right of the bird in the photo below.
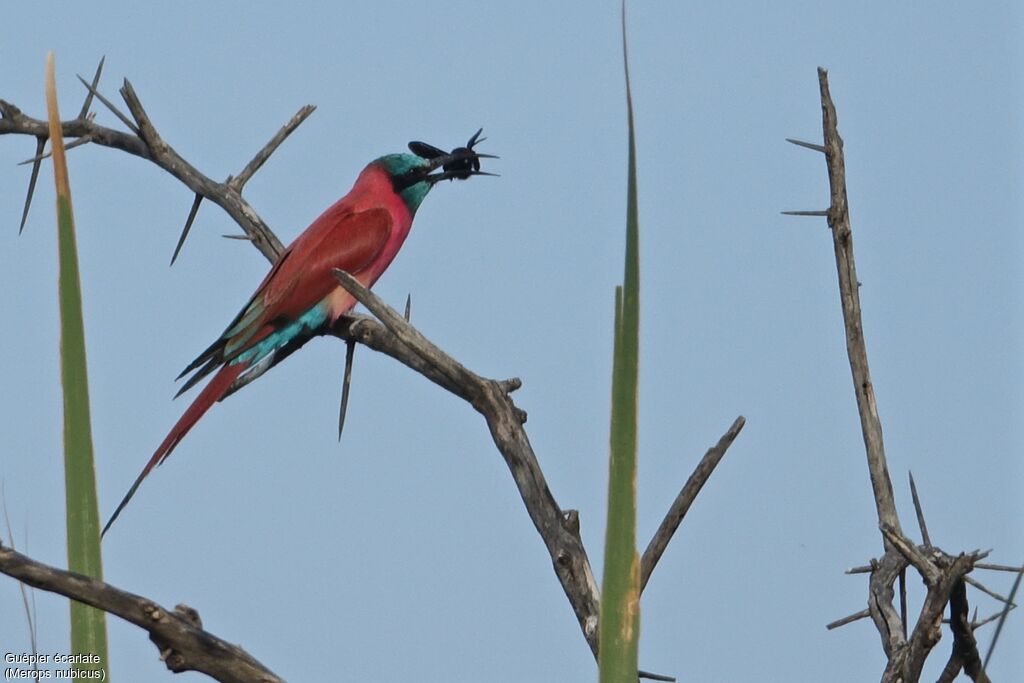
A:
[620,630]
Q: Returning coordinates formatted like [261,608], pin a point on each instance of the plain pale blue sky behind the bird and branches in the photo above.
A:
[405,553]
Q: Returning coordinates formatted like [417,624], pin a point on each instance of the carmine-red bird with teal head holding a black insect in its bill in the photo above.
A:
[301,298]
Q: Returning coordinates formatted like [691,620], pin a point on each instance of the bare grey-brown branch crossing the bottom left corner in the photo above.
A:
[177,633]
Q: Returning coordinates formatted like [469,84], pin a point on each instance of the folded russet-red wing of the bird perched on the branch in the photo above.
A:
[302,278]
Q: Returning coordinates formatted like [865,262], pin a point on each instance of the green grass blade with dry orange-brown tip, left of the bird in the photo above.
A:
[89,626]
